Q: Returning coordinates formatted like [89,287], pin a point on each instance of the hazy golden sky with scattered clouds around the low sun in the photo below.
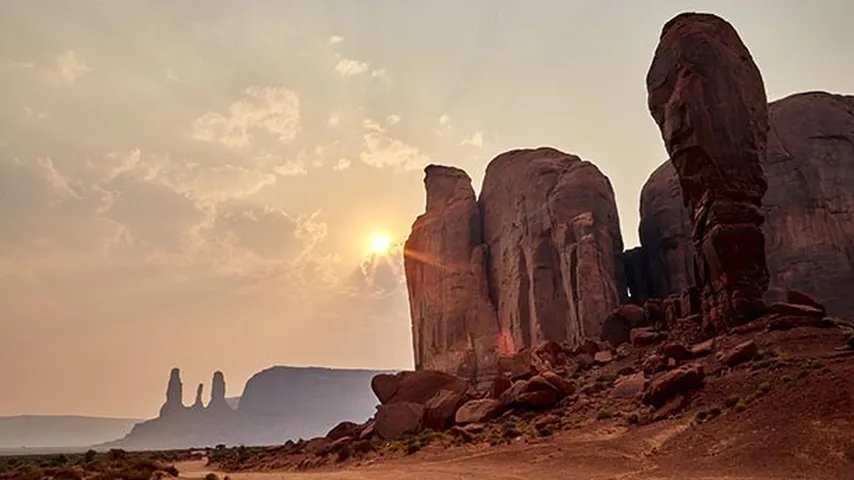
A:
[198,186]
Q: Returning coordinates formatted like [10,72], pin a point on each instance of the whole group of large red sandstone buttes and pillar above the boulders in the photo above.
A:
[539,256]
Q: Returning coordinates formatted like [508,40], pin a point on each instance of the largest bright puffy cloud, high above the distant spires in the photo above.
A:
[271,110]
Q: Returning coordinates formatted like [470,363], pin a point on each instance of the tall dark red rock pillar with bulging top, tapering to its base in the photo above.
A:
[708,98]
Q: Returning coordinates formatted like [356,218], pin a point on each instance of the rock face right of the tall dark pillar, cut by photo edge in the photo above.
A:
[809,207]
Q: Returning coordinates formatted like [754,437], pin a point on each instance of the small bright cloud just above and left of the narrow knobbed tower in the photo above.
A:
[381,150]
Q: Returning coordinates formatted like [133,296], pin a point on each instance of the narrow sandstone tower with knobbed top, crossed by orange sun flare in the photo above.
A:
[454,326]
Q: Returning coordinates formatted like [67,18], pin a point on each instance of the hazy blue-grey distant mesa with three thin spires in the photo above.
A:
[277,404]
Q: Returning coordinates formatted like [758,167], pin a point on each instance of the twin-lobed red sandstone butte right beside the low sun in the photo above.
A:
[543,237]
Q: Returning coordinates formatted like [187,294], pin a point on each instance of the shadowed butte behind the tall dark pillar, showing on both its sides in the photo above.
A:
[808,208]
